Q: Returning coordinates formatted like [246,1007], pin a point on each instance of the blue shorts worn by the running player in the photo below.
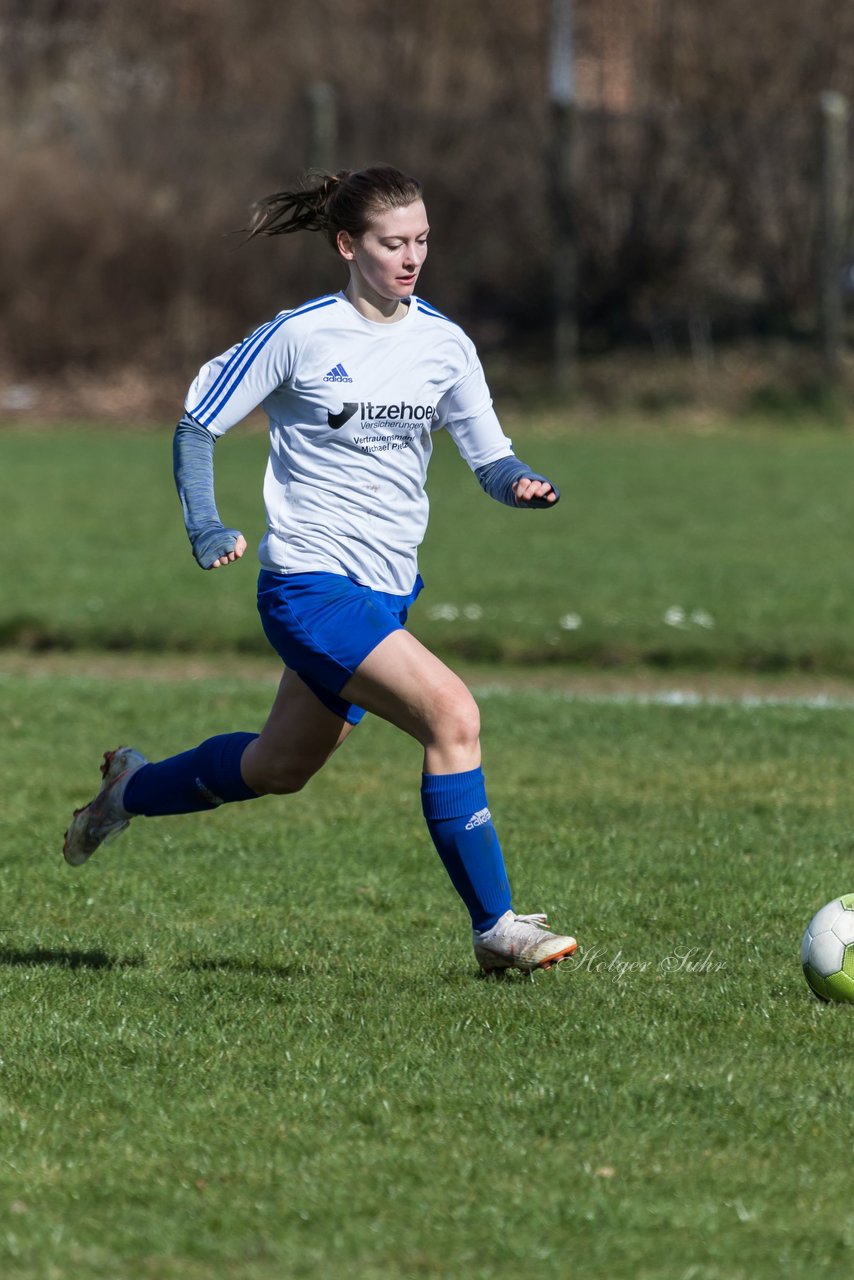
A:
[325,625]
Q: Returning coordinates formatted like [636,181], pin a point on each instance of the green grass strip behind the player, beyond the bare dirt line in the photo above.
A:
[720,551]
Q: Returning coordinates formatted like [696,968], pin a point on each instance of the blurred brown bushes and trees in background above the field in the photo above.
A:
[135,139]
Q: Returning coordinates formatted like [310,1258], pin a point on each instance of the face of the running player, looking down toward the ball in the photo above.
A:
[385,263]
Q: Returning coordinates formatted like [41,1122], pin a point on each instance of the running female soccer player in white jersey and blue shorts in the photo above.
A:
[354,385]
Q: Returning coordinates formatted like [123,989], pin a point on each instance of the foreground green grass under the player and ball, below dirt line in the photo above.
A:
[252,1045]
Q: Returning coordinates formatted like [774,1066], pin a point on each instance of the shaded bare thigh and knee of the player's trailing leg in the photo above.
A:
[298,739]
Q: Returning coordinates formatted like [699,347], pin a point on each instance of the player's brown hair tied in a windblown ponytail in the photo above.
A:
[332,203]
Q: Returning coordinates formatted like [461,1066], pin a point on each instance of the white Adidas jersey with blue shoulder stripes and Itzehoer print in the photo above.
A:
[353,408]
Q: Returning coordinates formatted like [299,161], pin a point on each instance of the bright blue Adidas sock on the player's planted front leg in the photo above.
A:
[460,824]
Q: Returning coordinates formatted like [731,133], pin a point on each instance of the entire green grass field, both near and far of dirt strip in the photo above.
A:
[253,1045]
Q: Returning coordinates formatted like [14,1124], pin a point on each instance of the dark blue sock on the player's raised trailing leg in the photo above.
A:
[203,779]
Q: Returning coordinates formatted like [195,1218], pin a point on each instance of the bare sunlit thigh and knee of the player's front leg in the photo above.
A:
[404,683]
